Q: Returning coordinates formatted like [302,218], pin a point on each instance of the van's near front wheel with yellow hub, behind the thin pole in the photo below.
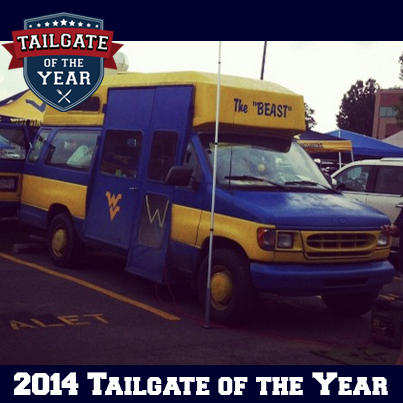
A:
[231,289]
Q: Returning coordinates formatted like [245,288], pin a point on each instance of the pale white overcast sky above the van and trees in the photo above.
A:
[321,71]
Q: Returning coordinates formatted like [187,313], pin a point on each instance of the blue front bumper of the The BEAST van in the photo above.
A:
[320,279]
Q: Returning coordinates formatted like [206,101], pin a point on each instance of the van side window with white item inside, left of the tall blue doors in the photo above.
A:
[72,149]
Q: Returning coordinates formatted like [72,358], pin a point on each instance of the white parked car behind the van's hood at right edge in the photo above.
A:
[378,183]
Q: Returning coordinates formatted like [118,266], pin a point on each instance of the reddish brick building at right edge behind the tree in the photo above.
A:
[385,124]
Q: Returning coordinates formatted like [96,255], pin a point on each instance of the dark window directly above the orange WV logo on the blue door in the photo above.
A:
[121,153]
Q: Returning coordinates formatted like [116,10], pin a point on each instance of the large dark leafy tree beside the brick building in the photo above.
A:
[356,112]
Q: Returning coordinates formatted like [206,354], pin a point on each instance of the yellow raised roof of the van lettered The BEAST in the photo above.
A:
[244,102]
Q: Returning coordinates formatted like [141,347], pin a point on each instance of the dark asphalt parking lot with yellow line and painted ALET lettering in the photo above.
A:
[97,314]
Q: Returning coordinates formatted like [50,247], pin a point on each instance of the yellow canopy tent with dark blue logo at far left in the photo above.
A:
[24,107]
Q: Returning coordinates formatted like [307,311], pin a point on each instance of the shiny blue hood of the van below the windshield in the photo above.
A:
[306,210]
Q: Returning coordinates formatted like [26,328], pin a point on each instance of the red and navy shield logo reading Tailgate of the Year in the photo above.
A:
[63,57]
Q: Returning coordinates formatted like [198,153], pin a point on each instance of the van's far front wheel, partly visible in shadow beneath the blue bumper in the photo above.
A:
[350,305]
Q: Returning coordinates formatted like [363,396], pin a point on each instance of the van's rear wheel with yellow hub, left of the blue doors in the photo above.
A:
[62,241]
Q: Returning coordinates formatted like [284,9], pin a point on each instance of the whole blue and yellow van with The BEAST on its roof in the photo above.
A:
[131,171]
